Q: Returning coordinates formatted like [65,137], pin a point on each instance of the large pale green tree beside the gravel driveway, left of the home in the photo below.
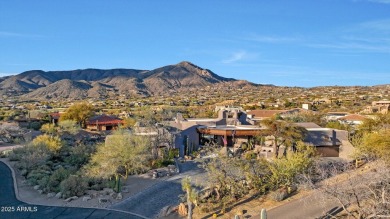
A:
[122,154]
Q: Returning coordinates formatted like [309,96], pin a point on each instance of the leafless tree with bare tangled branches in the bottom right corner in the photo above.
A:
[360,193]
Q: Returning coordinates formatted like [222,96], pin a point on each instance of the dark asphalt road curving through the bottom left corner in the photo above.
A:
[11,208]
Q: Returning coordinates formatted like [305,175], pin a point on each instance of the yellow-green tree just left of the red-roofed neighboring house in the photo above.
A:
[78,112]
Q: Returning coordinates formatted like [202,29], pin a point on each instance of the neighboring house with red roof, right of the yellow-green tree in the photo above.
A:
[104,123]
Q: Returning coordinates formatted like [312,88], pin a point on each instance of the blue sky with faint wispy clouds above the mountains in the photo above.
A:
[282,42]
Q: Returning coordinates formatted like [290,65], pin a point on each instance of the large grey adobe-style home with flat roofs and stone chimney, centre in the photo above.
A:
[233,128]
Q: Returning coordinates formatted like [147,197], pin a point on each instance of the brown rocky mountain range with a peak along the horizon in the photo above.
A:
[98,83]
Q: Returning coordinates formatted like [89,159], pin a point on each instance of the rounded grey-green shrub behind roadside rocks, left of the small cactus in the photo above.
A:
[73,186]
